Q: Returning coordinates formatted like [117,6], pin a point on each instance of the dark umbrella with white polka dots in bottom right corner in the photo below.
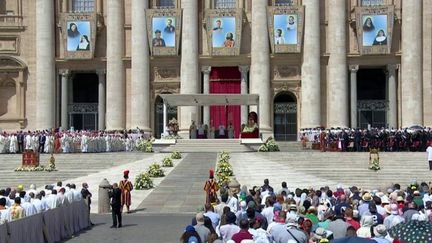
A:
[412,231]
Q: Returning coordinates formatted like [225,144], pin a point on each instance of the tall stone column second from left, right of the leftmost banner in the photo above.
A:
[116,86]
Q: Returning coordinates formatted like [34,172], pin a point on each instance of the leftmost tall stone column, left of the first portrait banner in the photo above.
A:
[45,65]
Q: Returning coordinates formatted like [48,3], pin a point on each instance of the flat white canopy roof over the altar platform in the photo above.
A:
[209,99]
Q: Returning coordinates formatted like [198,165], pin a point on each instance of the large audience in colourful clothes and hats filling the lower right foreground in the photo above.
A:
[307,215]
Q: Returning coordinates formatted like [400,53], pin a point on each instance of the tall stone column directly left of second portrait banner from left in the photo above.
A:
[140,85]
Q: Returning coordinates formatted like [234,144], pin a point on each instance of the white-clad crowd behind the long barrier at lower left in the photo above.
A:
[18,203]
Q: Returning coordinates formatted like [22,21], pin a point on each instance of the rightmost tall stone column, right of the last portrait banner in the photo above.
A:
[412,108]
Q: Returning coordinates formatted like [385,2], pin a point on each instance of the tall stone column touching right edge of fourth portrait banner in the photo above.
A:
[311,67]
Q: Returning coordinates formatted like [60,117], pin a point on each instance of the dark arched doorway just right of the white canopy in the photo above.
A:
[285,117]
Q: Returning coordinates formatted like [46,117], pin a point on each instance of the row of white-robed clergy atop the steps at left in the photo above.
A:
[69,141]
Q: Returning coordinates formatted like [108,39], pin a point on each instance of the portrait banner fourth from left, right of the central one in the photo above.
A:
[286,28]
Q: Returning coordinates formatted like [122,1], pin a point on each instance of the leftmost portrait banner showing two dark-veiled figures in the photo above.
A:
[79,35]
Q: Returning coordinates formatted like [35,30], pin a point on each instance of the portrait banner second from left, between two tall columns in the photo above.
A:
[163,29]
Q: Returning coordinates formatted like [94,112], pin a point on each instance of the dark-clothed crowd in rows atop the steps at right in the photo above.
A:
[339,139]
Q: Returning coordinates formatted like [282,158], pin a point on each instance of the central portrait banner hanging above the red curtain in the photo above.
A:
[224,31]
